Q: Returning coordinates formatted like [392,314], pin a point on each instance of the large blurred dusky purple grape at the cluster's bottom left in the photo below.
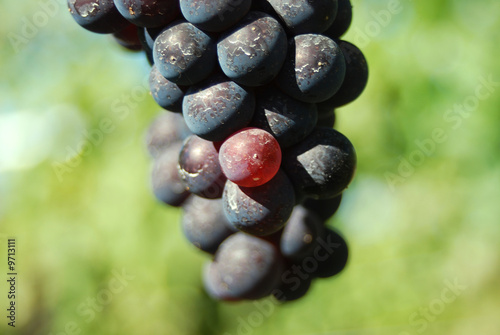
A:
[245,267]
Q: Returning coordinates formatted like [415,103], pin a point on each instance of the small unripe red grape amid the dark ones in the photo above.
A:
[250,157]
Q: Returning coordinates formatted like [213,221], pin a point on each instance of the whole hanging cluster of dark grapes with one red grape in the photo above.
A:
[247,145]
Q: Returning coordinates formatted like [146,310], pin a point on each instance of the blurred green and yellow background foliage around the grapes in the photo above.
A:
[96,254]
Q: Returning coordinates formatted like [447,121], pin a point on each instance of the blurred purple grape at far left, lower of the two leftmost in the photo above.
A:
[165,180]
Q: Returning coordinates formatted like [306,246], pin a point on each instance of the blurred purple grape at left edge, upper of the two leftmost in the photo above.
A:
[165,130]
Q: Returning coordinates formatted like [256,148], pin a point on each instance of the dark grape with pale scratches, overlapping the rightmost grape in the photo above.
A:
[314,69]
